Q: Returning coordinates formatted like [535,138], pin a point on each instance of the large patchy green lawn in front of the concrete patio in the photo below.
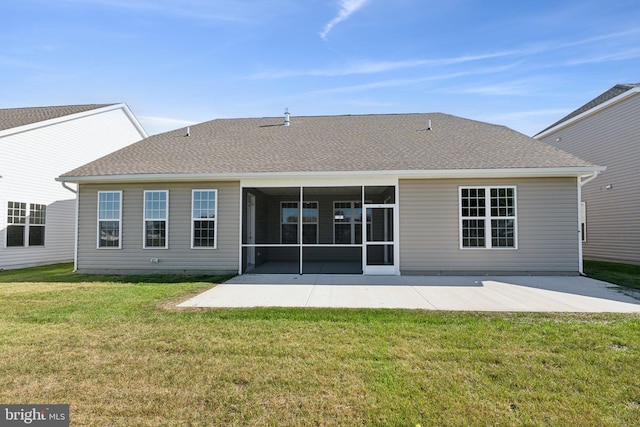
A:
[120,355]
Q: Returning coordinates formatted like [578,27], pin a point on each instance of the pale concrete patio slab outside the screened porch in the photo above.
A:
[463,293]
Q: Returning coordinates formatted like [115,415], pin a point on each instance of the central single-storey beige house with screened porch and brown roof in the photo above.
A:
[370,194]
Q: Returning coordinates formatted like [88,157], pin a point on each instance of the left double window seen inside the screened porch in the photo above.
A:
[289,220]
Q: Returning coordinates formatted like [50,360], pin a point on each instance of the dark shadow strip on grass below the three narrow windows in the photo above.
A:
[63,273]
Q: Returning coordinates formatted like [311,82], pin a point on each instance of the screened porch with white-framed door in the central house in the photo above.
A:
[317,229]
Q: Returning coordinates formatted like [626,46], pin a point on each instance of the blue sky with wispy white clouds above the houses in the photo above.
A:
[519,63]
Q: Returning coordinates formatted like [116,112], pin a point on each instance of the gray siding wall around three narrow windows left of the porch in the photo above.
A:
[179,257]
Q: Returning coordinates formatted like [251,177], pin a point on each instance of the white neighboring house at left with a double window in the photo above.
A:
[37,215]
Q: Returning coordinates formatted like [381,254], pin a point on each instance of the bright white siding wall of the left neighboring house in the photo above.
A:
[31,161]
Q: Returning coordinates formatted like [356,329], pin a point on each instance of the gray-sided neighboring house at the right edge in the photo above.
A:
[606,131]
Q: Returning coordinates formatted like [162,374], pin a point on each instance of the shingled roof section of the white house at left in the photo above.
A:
[15,117]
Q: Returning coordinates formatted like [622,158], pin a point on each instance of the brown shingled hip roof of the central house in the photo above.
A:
[390,142]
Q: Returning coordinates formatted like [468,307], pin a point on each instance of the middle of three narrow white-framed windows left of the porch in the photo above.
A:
[156,219]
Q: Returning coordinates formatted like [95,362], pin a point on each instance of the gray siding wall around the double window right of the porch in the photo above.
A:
[547,212]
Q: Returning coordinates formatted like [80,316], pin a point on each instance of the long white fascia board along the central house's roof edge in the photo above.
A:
[382,176]
